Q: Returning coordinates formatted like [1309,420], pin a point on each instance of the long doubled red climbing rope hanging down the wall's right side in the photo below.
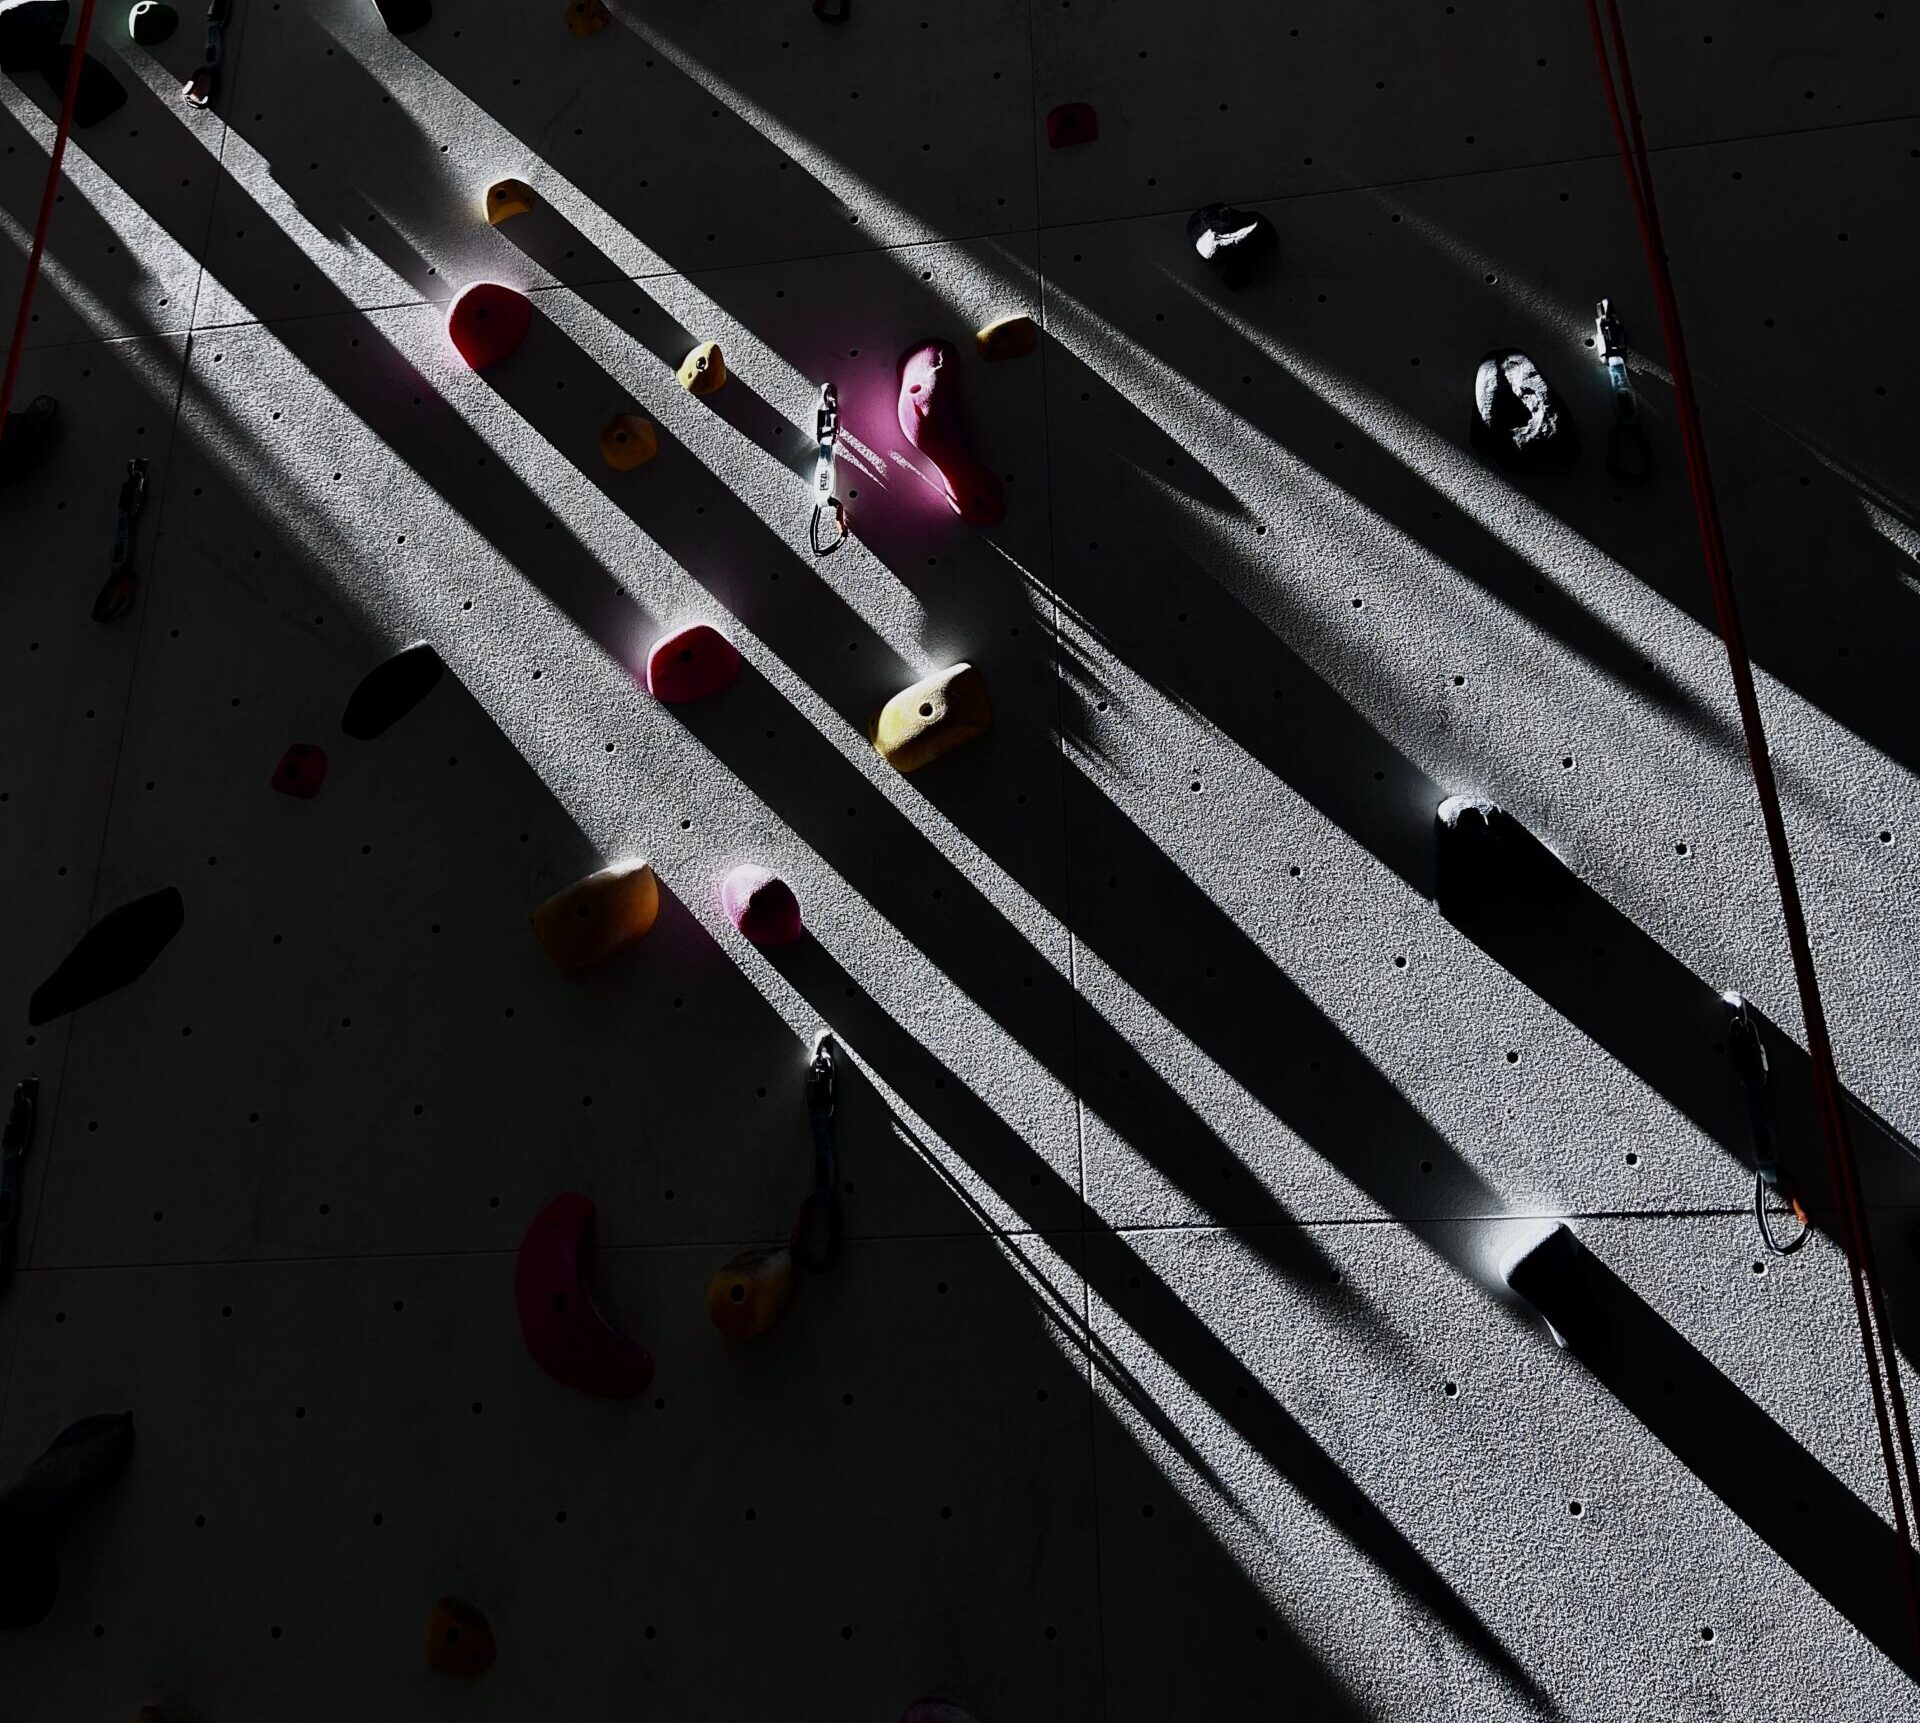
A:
[1869,1303]
